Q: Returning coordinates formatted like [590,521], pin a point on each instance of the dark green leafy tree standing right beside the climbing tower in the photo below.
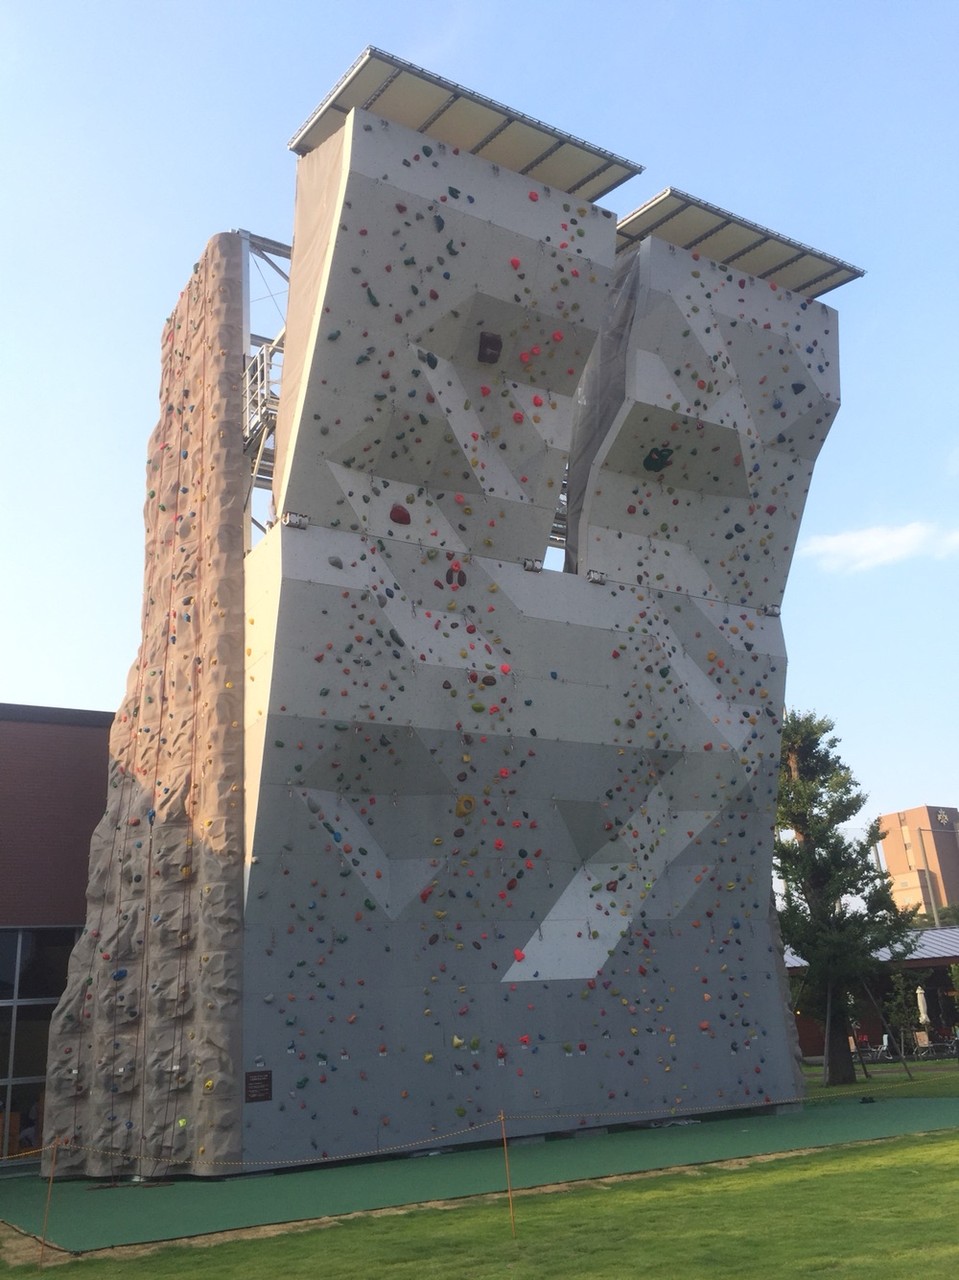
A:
[838,907]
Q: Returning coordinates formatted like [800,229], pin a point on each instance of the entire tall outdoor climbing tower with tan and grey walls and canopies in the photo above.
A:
[408,831]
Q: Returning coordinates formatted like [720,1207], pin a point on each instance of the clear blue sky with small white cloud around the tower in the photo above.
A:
[134,132]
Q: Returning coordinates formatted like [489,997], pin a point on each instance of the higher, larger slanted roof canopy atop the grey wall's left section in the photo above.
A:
[408,95]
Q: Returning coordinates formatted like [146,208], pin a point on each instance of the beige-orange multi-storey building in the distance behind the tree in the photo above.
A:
[921,848]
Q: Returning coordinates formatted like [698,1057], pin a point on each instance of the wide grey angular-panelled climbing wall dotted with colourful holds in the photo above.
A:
[509,833]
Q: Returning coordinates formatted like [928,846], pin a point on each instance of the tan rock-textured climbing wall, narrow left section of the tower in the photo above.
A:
[145,1043]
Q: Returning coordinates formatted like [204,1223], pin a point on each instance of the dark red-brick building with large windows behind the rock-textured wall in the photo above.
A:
[53,784]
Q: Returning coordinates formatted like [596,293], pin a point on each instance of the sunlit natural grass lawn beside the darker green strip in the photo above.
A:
[883,1209]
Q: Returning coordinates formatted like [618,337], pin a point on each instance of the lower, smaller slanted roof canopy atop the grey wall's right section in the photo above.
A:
[691,223]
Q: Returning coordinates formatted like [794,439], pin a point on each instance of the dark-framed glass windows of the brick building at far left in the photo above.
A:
[33,979]
